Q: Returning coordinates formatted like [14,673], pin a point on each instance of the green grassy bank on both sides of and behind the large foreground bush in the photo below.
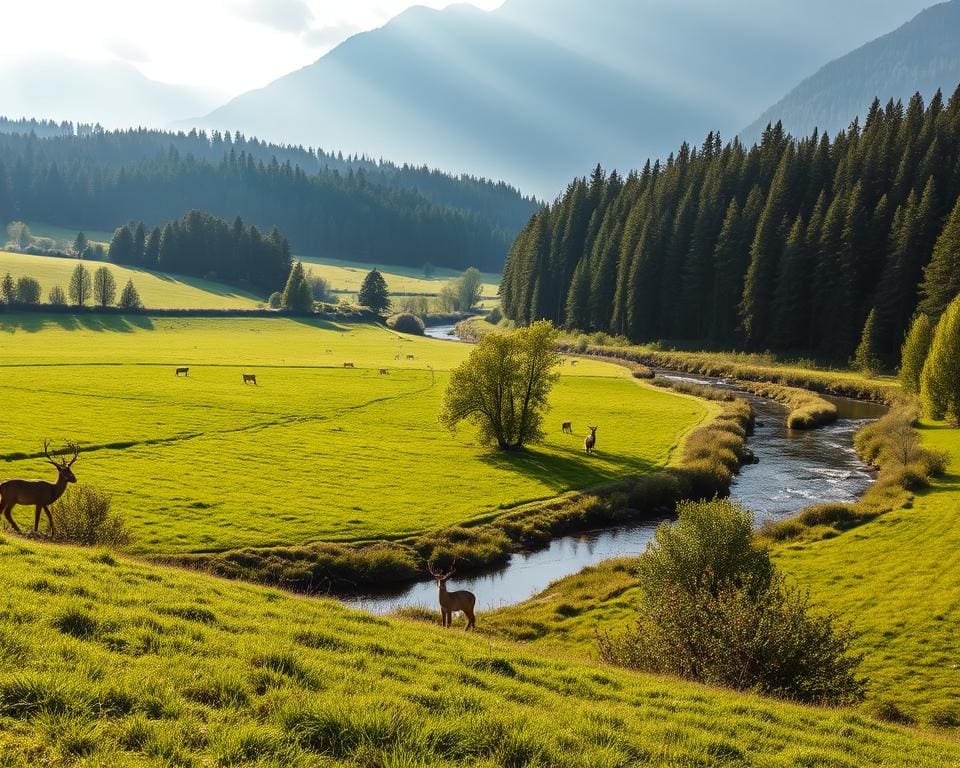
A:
[896,579]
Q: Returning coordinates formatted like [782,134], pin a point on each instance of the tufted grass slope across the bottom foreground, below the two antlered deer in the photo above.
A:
[107,662]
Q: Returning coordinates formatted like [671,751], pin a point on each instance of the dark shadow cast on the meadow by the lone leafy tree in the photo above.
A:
[566,468]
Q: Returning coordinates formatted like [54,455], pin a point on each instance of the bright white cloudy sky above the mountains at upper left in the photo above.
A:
[223,47]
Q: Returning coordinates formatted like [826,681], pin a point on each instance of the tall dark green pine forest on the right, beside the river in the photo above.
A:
[789,245]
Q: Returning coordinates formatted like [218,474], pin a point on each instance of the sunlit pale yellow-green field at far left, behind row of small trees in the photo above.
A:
[157,290]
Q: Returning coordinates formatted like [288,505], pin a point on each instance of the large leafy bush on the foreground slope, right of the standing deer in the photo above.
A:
[714,609]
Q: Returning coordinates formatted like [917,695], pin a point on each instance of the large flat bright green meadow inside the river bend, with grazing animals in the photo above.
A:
[315,452]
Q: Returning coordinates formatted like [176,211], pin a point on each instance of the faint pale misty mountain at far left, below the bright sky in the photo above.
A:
[112,93]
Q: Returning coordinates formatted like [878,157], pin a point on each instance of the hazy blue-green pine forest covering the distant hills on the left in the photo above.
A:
[356,208]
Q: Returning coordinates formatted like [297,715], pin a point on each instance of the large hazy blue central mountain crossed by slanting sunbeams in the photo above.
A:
[538,91]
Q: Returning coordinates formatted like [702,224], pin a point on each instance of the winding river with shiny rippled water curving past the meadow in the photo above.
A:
[795,469]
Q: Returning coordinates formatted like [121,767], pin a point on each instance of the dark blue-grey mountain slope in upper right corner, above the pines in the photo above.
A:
[922,55]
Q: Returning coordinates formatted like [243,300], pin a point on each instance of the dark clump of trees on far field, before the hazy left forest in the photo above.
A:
[204,245]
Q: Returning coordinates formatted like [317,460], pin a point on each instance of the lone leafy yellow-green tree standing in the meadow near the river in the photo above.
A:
[504,385]
